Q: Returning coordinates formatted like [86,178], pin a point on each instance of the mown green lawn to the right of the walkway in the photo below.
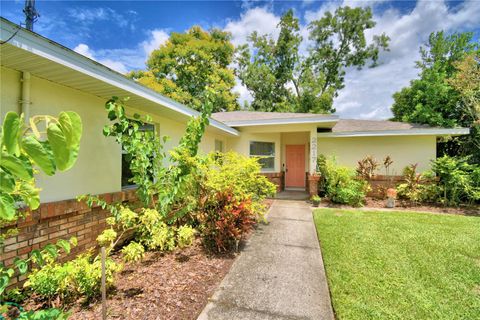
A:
[393,265]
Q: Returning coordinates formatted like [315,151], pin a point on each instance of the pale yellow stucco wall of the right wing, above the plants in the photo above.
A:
[403,150]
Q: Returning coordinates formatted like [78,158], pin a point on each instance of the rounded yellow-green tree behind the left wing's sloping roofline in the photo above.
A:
[190,63]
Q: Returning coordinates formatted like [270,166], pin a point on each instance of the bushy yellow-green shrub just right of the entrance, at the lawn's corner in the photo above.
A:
[342,185]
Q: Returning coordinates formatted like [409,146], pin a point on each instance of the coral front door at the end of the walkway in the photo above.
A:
[295,166]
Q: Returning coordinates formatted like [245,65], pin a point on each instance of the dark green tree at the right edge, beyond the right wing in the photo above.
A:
[445,93]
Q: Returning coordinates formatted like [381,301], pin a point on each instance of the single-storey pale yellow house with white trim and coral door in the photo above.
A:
[39,76]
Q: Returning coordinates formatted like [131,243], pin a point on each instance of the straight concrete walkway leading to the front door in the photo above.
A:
[280,273]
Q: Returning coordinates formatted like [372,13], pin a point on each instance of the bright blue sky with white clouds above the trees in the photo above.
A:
[121,34]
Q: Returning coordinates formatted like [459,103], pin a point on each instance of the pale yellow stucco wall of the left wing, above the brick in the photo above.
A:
[98,168]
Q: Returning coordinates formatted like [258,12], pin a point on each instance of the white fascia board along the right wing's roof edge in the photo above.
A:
[406,132]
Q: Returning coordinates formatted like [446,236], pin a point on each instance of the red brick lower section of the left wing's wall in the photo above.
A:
[59,220]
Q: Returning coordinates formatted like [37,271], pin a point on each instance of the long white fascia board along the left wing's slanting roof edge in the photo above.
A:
[57,53]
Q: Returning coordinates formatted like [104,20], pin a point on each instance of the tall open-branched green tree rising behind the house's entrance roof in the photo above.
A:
[281,79]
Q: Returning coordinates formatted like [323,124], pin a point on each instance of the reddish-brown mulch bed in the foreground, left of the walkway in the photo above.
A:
[174,285]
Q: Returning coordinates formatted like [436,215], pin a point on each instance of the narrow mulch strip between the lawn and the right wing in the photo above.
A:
[403,205]
